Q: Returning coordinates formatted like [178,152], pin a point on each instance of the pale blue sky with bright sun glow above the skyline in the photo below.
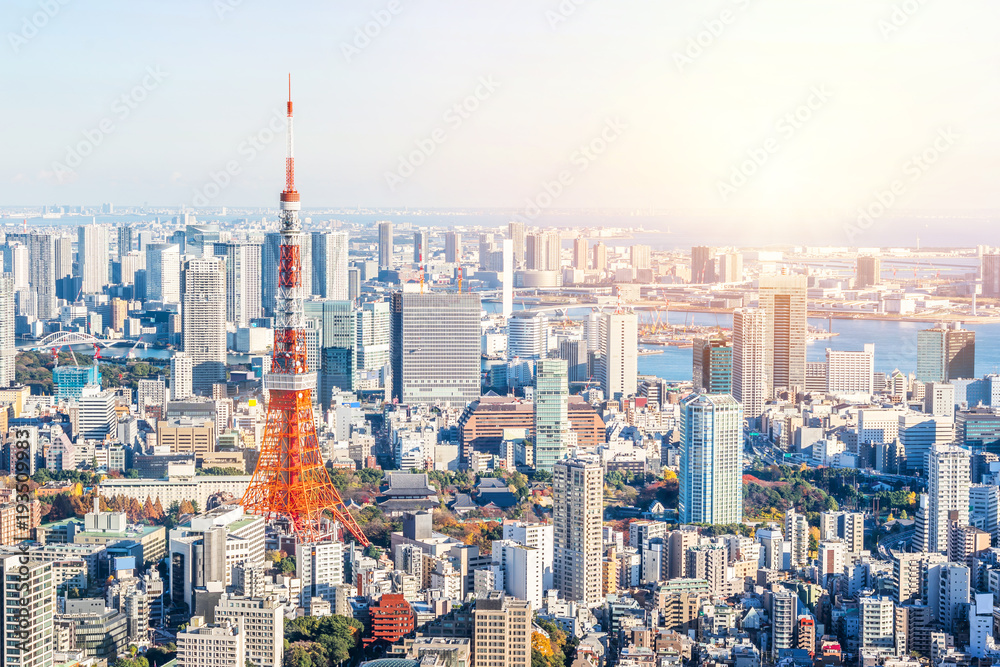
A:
[893,77]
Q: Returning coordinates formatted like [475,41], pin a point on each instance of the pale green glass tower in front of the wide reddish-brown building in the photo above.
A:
[551,413]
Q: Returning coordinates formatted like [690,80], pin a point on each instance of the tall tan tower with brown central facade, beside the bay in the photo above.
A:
[783,300]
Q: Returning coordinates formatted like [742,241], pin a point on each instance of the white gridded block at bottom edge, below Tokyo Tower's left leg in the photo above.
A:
[263,622]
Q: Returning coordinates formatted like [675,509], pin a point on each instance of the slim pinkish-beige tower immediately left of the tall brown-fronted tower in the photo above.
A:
[750,386]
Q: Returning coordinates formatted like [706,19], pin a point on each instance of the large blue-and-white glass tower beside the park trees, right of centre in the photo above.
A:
[711,468]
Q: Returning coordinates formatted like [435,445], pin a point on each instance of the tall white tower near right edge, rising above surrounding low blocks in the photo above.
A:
[948,491]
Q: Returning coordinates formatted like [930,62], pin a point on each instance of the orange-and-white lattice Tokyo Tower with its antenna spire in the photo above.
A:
[291,481]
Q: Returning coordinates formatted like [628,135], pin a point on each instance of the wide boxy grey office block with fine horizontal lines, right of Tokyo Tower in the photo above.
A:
[435,348]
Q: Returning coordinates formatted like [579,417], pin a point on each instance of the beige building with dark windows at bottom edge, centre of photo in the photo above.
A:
[501,631]
